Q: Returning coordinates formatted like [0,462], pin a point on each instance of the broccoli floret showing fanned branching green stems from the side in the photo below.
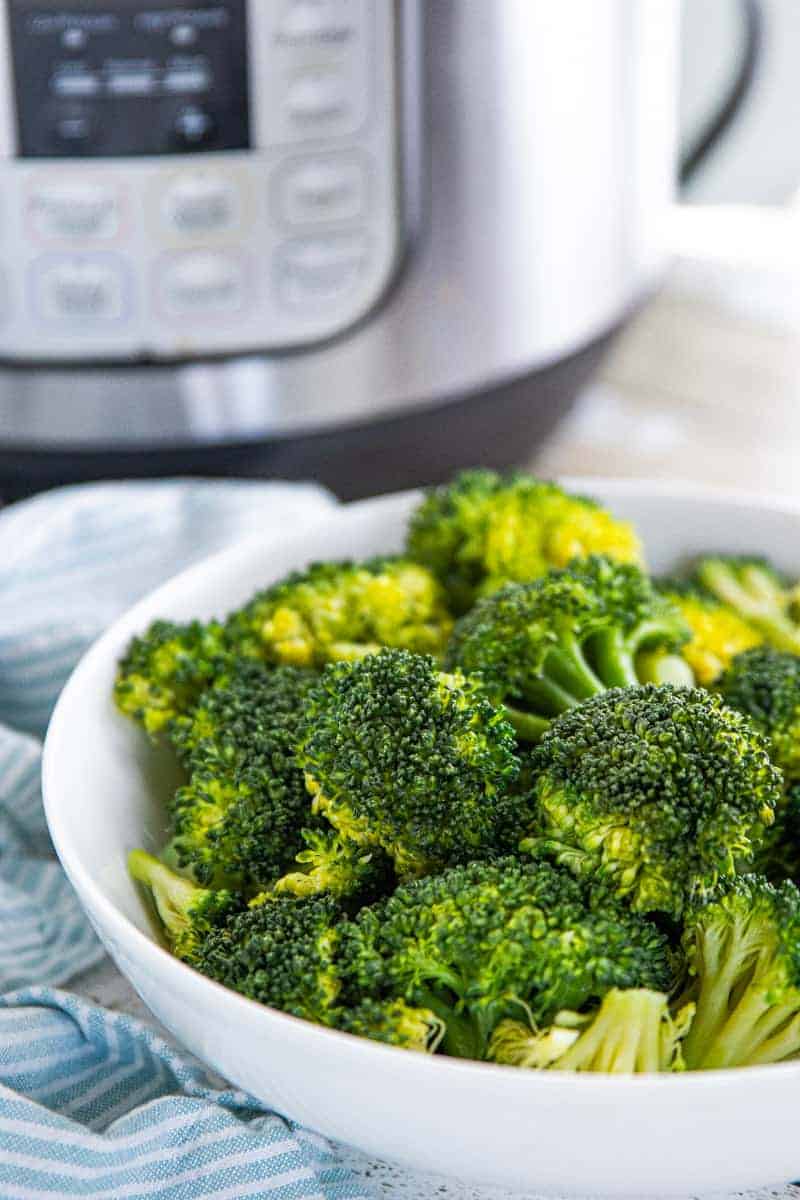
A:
[542,649]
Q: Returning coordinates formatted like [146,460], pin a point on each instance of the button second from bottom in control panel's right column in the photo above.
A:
[322,190]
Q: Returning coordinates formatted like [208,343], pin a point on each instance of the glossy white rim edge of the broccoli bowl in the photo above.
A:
[148,951]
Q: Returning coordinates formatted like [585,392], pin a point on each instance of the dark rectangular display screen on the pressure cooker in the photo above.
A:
[130,77]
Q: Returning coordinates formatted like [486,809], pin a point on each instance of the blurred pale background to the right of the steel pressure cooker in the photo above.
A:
[706,382]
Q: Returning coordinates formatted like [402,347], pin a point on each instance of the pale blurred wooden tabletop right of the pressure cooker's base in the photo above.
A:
[694,391]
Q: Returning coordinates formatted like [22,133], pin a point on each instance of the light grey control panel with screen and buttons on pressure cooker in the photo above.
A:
[195,178]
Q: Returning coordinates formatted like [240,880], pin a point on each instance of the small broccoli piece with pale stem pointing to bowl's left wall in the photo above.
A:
[188,913]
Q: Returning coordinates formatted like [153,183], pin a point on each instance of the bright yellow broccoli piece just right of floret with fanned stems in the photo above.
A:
[718,633]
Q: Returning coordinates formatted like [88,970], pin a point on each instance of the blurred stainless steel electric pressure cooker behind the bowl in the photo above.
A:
[365,241]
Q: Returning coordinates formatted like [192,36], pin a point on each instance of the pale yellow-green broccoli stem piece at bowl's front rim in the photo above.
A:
[633,1033]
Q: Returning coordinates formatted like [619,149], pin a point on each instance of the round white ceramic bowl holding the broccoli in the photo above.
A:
[587,1135]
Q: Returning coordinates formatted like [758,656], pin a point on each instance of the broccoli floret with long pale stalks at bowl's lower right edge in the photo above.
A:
[744,958]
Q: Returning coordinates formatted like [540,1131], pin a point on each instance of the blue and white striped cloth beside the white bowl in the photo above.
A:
[94,1103]
